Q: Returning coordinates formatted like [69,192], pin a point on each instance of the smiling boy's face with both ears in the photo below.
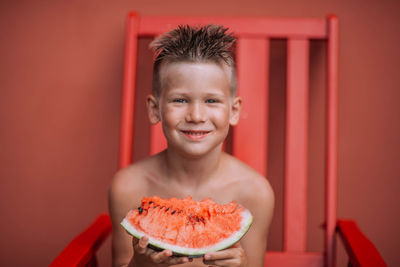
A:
[195,106]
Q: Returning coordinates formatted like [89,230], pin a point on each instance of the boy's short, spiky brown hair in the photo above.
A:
[208,43]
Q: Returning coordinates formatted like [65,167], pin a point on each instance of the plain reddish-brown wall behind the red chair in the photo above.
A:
[60,81]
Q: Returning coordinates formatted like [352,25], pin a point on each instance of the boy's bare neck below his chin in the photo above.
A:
[192,171]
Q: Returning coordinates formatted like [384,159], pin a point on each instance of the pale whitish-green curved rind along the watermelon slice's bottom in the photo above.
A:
[245,224]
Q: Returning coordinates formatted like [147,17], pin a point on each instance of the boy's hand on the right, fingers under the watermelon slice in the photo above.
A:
[231,257]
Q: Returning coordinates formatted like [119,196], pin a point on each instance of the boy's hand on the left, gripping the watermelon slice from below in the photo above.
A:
[144,256]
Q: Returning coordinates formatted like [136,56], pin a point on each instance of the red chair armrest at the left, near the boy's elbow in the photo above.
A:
[81,250]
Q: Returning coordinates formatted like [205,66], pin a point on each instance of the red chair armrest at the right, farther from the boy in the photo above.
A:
[360,249]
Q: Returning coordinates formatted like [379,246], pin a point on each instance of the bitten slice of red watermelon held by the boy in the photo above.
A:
[186,226]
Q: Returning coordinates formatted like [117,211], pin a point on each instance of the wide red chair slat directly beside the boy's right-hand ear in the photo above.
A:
[251,135]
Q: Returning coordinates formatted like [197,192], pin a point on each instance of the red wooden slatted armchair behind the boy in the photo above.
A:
[251,54]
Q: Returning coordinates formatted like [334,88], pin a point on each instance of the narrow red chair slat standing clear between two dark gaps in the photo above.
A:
[295,220]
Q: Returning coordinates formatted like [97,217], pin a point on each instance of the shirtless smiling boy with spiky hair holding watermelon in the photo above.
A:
[194,98]
